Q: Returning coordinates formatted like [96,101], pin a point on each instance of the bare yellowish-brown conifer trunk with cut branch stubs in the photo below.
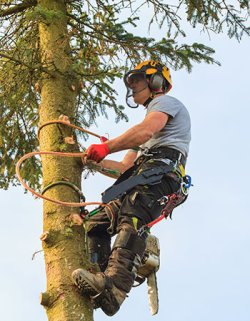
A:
[63,240]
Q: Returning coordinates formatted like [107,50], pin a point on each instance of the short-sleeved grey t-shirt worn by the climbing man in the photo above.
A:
[177,131]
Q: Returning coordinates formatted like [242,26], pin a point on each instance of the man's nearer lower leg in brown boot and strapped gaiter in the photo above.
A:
[108,290]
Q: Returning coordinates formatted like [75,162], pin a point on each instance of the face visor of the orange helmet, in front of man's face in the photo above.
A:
[135,81]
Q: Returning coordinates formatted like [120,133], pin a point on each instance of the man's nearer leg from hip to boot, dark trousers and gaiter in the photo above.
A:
[138,208]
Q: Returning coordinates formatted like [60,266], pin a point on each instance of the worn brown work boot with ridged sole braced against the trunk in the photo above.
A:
[101,290]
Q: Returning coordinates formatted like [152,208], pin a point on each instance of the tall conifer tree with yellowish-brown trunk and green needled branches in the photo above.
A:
[62,57]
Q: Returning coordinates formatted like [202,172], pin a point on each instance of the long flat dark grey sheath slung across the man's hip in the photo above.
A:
[150,176]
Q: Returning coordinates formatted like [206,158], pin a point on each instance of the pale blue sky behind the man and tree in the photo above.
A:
[204,273]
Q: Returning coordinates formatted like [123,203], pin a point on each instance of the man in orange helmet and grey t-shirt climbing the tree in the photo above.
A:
[152,168]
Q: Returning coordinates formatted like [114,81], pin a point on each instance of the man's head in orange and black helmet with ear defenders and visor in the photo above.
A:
[148,79]
